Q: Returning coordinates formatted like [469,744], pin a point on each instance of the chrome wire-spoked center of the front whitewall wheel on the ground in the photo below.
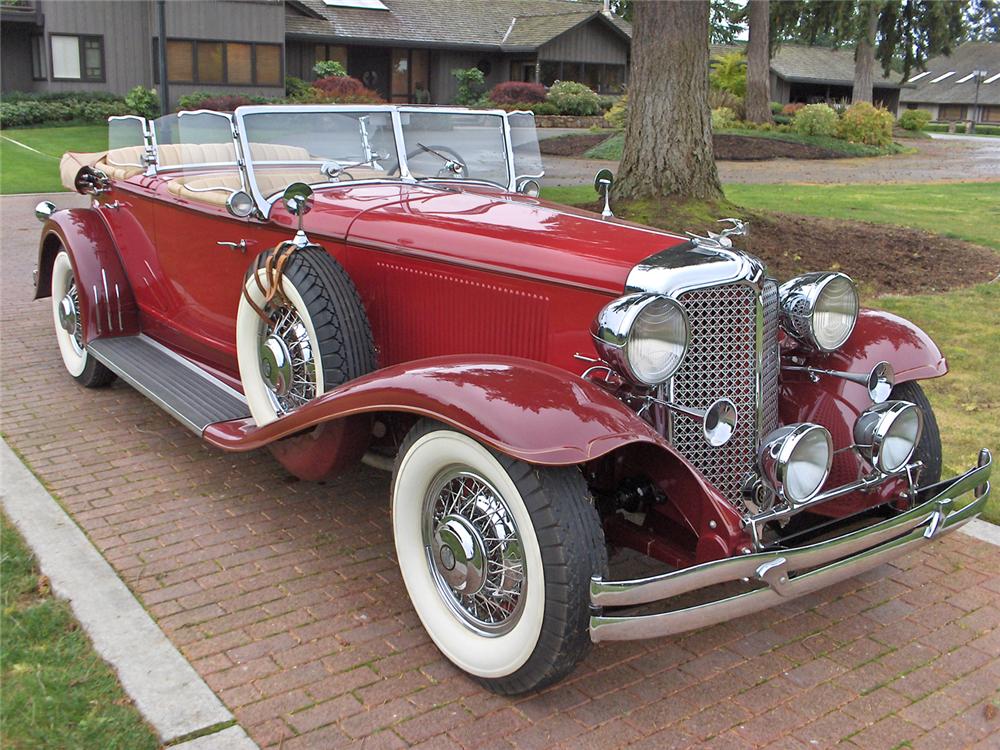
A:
[474,552]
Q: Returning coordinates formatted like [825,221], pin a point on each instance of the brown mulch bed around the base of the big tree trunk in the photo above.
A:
[881,258]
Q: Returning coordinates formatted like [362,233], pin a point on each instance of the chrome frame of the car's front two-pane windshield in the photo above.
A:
[264,203]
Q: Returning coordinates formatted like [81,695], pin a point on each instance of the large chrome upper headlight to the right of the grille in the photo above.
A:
[820,309]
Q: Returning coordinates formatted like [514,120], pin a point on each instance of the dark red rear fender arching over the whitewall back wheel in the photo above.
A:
[107,304]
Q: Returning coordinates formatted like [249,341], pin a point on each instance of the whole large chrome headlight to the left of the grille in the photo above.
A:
[643,336]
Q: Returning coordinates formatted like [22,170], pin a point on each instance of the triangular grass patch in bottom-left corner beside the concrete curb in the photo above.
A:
[57,692]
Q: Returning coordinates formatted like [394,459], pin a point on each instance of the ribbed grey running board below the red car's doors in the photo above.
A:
[178,386]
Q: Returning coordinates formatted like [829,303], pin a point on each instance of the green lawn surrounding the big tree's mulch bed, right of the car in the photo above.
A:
[964,323]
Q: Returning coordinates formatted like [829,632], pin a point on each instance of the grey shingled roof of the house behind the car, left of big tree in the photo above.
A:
[500,25]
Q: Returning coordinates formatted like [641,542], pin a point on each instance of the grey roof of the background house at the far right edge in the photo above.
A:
[934,85]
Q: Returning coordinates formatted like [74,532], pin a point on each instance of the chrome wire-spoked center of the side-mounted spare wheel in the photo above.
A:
[287,360]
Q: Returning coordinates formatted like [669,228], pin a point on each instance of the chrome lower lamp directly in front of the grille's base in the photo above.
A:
[795,461]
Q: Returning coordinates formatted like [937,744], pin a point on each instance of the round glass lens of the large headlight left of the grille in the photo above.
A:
[656,343]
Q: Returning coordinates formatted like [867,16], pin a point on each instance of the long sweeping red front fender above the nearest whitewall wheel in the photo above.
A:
[529,410]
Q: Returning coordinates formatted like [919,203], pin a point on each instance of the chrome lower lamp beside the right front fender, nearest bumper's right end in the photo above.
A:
[886,434]
